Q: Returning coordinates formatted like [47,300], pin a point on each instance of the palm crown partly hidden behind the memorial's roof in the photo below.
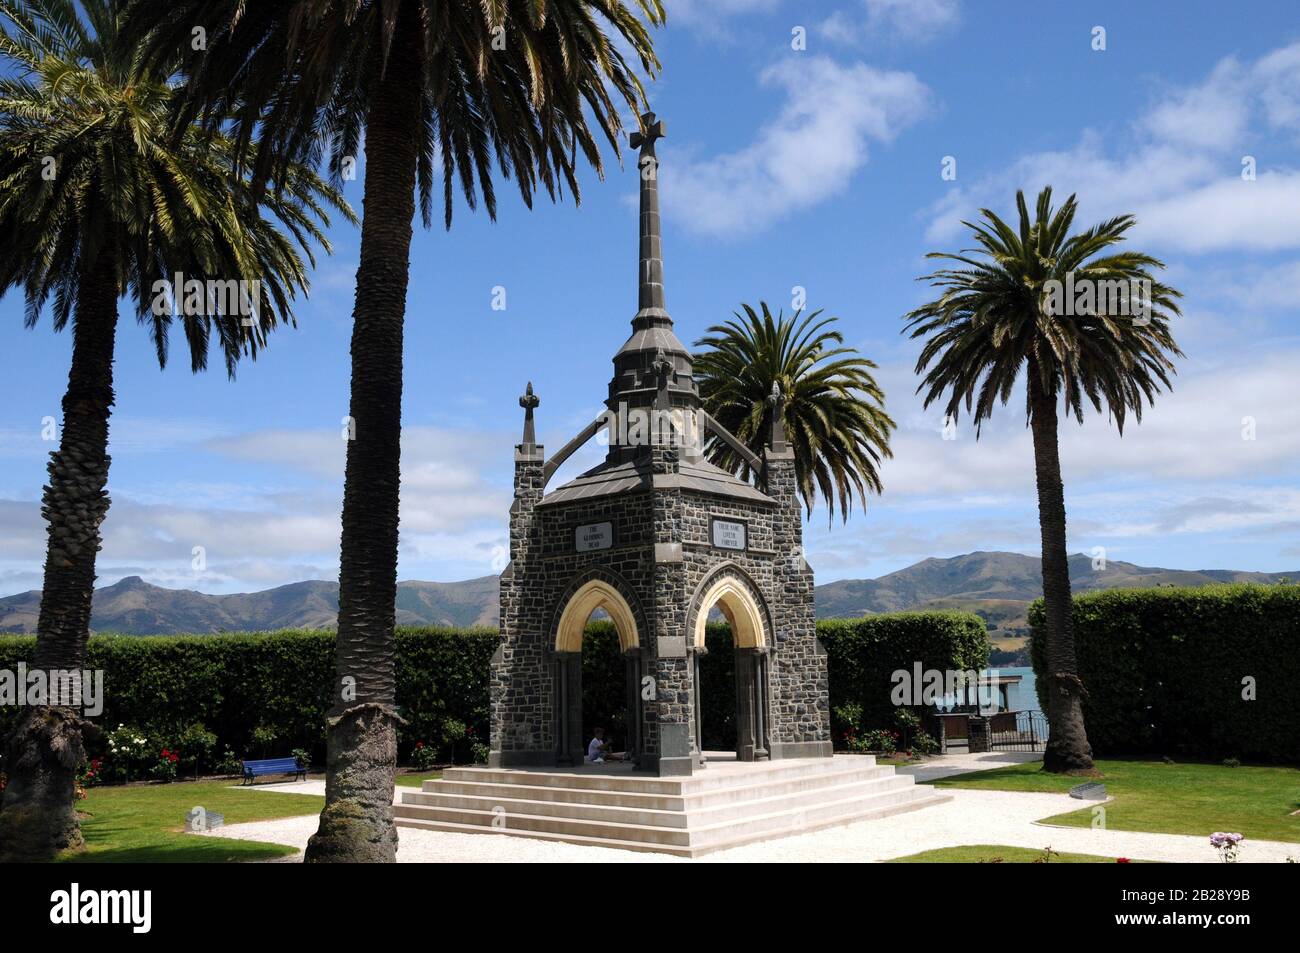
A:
[835,417]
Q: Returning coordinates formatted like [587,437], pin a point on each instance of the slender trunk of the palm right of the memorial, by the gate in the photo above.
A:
[1068,744]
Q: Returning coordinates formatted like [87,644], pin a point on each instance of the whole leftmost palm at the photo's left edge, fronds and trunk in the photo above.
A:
[99,200]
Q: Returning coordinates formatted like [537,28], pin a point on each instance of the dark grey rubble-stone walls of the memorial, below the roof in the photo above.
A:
[662,561]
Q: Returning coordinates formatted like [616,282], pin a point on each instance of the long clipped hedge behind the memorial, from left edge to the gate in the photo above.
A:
[265,694]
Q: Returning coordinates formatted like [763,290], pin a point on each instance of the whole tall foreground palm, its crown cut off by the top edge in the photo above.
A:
[463,84]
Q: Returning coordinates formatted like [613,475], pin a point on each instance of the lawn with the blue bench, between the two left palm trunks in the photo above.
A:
[145,824]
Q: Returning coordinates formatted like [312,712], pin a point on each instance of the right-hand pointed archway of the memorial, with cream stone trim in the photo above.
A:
[742,605]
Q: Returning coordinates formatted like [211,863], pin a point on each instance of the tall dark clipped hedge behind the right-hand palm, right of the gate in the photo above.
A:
[1164,670]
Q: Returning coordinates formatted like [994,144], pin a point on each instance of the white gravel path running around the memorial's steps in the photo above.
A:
[972,817]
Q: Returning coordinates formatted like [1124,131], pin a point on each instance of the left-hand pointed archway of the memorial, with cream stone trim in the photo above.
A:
[591,597]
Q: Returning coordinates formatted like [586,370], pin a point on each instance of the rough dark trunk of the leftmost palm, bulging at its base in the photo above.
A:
[40,816]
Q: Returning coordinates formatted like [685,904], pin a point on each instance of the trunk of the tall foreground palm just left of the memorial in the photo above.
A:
[357,825]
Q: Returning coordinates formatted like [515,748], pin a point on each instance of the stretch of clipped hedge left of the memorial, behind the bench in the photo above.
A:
[279,683]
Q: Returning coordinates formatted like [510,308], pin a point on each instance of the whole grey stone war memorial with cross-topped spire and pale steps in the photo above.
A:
[658,538]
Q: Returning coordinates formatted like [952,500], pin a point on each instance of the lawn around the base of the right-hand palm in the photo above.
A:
[1169,799]
